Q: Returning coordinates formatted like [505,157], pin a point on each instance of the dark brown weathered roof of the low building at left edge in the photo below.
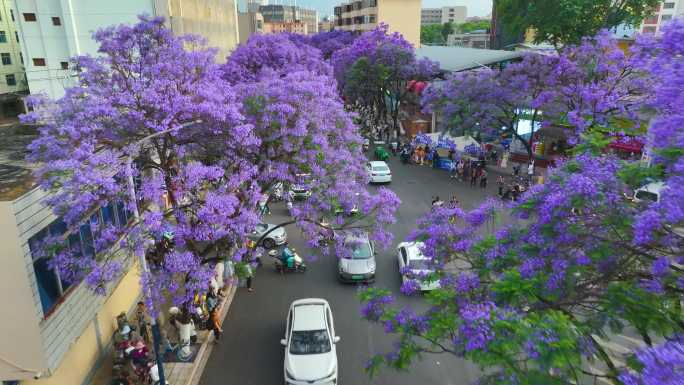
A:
[16,174]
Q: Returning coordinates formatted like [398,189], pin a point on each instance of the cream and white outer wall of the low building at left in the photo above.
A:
[59,344]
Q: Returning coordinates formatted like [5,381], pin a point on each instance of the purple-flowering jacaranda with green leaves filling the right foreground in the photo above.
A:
[537,301]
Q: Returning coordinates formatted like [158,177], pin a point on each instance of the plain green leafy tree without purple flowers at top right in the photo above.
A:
[567,21]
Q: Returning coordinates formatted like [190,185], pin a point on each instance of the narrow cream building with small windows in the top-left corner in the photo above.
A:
[13,85]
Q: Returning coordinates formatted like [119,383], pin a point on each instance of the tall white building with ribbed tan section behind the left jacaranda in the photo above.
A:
[53,31]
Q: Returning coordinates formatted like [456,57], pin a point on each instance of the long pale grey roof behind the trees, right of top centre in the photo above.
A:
[454,59]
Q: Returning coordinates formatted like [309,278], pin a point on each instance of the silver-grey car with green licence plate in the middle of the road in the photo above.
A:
[359,265]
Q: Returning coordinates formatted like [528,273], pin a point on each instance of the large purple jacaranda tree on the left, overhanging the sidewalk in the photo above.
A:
[202,143]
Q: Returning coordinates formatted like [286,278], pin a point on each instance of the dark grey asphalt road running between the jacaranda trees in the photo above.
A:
[250,353]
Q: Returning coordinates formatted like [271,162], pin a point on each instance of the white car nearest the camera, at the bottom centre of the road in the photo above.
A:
[310,354]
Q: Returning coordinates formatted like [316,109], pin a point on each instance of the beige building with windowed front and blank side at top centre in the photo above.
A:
[401,16]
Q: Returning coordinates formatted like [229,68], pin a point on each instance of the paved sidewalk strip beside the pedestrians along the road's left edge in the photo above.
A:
[177,373]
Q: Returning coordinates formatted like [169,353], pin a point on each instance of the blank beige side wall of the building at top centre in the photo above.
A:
[402,16]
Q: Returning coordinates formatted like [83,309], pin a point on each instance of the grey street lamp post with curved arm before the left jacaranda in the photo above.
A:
[156,332]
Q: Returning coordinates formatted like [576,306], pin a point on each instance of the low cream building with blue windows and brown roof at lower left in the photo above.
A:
[54,332]
